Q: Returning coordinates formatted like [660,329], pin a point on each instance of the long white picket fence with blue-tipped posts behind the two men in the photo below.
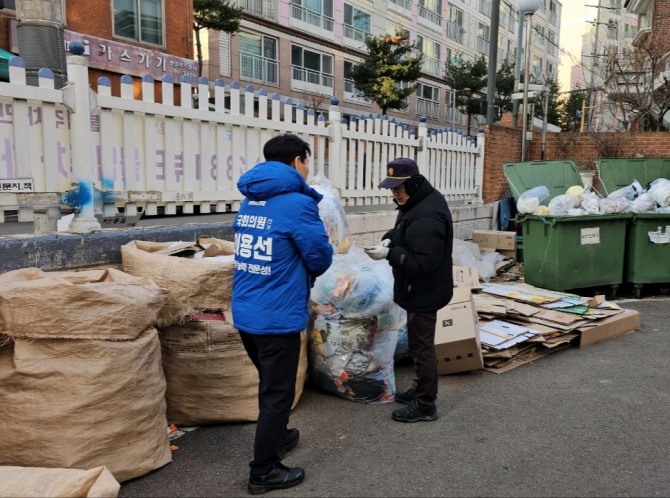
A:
[100,153]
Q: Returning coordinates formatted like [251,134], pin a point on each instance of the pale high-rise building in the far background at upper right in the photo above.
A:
[611,33]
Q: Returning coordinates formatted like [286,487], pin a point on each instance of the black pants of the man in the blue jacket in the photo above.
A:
[276,358]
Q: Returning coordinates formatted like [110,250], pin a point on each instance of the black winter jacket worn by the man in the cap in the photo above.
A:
[420,252]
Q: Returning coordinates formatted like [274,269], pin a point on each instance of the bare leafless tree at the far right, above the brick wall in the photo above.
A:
[637,84]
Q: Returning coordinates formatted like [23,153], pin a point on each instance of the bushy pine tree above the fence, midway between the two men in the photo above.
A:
[391,61]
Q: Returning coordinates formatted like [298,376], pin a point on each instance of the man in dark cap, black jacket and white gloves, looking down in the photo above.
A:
[419,250]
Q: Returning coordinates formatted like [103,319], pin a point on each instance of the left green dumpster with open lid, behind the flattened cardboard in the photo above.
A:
[566,252]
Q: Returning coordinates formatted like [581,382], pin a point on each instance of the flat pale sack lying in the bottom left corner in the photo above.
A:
[57,483]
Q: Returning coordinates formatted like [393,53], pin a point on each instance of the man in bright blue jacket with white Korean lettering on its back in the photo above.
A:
[281,246]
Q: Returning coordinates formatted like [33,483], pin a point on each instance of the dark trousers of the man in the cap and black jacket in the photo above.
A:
[421,339]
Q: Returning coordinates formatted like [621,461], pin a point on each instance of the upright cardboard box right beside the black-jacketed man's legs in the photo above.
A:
[457,344]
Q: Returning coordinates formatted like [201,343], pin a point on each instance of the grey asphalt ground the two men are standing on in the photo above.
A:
[581,422]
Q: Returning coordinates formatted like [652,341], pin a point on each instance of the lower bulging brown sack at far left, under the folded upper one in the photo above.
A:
[84,403]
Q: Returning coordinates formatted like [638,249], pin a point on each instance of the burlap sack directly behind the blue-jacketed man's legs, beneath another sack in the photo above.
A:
[210,378]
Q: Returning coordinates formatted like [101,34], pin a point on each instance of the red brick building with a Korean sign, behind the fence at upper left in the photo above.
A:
[134,37]
